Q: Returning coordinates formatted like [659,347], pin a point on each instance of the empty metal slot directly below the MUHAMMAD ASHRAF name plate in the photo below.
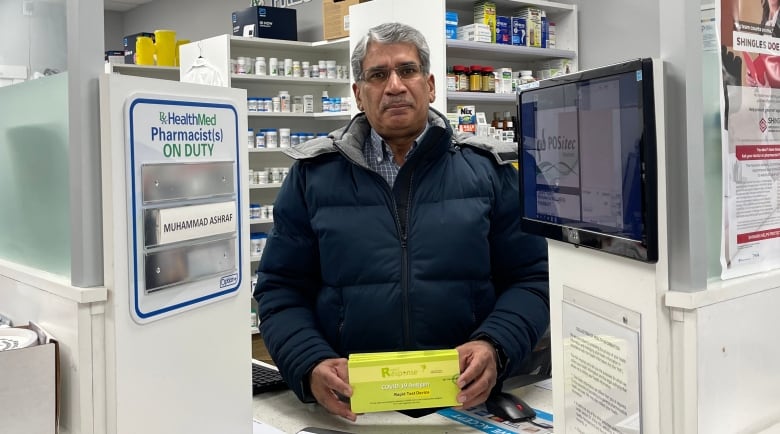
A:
[176,266]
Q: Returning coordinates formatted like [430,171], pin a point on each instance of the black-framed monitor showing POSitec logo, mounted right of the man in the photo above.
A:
[588,159]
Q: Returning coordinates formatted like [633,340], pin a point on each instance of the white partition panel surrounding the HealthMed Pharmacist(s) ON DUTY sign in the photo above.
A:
[188,372]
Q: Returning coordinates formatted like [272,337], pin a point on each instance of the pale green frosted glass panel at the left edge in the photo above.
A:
[34,185]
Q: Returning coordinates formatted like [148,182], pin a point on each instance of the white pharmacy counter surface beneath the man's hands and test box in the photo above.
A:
[283,411]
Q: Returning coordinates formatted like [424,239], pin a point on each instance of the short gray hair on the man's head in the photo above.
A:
[391,33]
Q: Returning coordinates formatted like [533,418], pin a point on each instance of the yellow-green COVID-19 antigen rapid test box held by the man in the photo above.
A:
[403,380]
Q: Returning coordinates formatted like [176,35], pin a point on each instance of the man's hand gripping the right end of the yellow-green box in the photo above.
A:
[478,372]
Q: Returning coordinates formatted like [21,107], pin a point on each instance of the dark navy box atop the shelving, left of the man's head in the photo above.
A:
[266,22]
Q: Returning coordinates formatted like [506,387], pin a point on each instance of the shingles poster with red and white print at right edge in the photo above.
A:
[750,56]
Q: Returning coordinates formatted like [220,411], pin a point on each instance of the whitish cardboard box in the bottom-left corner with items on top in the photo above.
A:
[29,388]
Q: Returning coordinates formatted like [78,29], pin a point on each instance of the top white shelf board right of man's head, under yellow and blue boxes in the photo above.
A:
[501,52]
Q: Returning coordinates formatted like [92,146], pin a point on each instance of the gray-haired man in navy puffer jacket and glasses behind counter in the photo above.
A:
[395,234]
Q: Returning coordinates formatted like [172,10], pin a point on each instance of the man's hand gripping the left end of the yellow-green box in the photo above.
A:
[329,379]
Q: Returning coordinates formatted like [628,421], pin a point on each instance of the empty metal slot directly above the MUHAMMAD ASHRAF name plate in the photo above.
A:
[179,181]
